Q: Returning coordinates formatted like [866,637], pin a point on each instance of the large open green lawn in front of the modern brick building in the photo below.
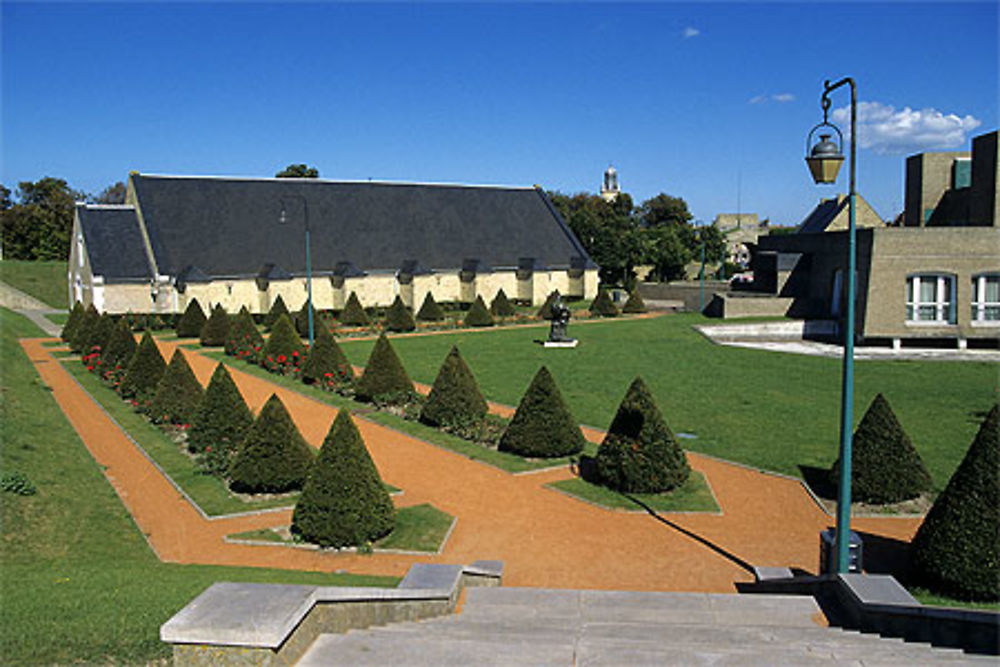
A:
[769,410]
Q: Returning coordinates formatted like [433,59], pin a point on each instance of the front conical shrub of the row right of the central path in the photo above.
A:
[640,454]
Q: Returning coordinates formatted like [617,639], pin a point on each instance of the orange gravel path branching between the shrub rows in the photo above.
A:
[545,538]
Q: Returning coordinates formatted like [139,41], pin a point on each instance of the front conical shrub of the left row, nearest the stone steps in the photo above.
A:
[343,502]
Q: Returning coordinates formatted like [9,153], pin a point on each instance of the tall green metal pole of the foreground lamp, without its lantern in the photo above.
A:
[847,380]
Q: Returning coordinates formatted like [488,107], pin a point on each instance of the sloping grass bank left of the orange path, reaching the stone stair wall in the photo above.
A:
[78,581]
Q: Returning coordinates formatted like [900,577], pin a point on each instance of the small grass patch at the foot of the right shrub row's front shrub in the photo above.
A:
[693,496]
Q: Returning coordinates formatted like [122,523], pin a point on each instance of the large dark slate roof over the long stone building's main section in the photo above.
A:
[230,227]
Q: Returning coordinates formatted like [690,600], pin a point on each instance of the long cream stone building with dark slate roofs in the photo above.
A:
[242,242]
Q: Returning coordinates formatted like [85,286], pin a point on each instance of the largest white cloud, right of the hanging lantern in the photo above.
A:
[885,130]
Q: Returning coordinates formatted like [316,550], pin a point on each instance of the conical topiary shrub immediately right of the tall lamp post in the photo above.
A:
[885,467]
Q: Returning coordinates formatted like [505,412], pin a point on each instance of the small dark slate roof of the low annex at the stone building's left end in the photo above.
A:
[114,243]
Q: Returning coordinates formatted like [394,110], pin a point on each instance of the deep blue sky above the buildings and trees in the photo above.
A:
[708,101]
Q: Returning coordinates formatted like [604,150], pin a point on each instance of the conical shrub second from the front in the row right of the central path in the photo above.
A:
[543,426]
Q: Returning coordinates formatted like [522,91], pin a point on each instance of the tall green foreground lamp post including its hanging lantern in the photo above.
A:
[824,160]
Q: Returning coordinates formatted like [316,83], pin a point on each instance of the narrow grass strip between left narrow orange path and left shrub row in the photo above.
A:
[207,491]
